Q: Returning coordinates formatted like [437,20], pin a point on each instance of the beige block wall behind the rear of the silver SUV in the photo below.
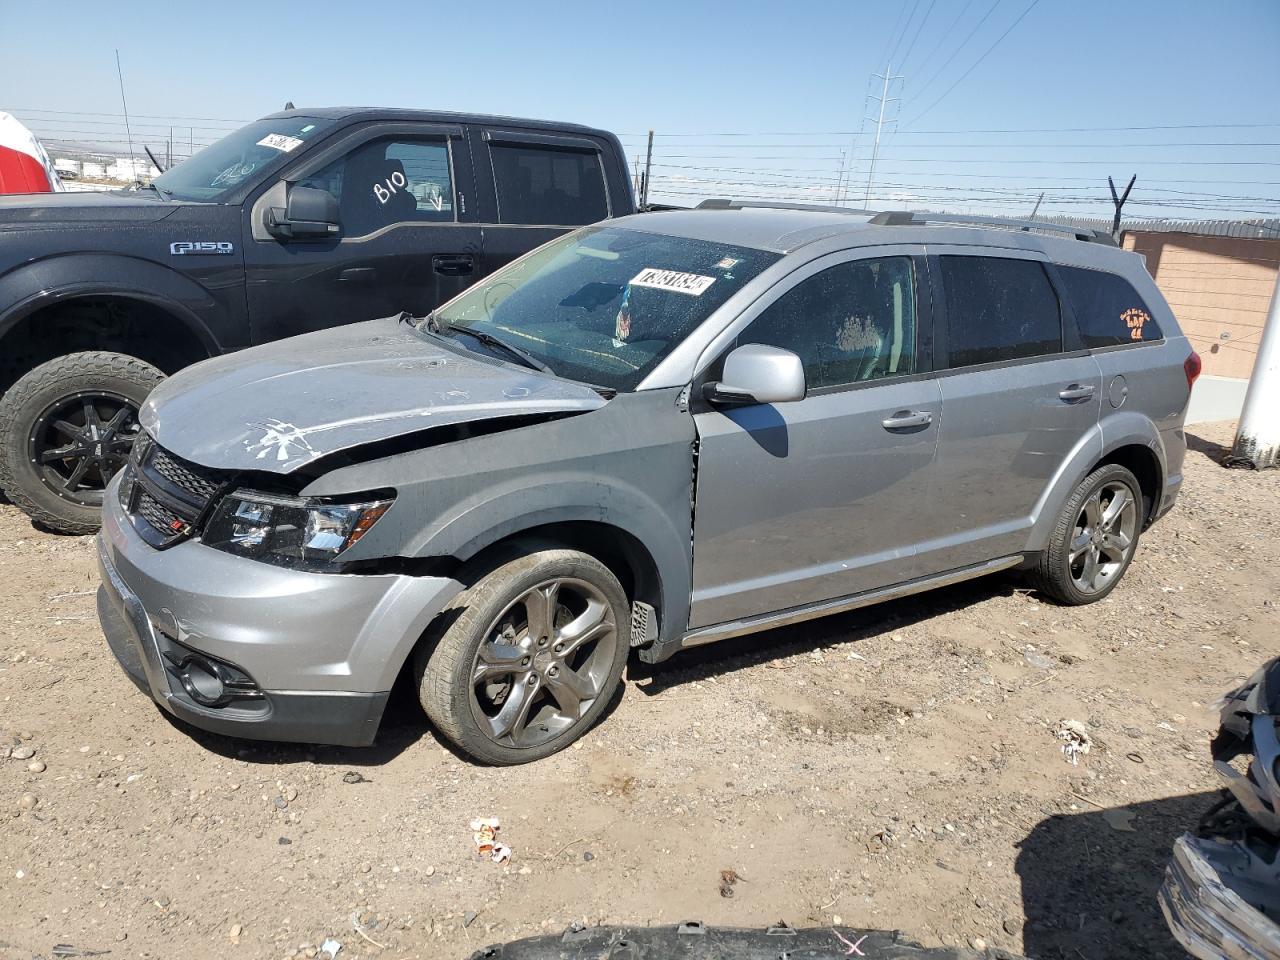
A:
[1219,290]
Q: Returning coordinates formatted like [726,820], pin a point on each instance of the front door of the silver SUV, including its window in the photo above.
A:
[821,499]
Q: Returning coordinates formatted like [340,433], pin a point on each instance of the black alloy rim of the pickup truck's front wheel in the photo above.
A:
[80,442]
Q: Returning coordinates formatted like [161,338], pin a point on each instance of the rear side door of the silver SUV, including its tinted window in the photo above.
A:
[1020,395]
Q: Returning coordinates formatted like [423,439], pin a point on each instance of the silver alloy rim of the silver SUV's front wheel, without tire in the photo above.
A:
[543,662]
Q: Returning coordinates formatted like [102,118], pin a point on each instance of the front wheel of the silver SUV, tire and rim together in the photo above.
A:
[528,659]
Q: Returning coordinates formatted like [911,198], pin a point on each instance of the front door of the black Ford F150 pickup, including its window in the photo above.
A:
[408,241]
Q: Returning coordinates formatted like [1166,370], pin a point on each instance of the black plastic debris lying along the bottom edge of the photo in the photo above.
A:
[696,941]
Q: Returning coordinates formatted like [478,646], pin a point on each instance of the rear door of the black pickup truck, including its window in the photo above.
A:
[534,188]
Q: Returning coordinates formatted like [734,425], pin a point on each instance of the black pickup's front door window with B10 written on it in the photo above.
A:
[390,181]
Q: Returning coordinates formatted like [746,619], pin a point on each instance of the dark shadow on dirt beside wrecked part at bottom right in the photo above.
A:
[1090,890]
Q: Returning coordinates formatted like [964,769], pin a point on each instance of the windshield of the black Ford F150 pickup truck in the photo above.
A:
[227,163]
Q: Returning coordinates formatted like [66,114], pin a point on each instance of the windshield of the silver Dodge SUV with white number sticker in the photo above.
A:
[605,304]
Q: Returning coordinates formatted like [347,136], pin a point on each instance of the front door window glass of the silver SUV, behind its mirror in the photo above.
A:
[852,323]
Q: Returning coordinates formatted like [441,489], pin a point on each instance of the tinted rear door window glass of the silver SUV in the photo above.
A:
[999,309]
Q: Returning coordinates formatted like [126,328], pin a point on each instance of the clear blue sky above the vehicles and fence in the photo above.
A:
[696,71]
